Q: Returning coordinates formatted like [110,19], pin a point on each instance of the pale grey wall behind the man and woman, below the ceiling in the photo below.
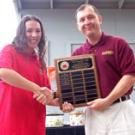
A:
[60,27]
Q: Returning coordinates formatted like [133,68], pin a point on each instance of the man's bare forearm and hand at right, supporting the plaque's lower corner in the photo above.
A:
[122,87]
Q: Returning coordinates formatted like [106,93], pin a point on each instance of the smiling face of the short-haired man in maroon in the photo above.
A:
[89,22]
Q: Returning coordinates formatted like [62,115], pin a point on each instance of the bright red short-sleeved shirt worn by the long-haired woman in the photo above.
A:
[20,114]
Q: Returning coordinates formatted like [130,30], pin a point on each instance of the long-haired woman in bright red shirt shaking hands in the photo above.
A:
[24,85]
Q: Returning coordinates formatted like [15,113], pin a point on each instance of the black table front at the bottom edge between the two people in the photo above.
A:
[65,130]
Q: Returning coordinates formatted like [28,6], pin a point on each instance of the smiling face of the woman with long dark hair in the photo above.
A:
[33,33]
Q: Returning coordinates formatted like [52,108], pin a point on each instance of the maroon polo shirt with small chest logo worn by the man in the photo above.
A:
[114,58]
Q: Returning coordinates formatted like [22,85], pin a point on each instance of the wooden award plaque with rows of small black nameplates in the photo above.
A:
[77,80]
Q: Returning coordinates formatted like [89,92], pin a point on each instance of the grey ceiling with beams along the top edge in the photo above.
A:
[73,4]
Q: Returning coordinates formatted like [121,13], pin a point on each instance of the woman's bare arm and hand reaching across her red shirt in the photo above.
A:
[13,78]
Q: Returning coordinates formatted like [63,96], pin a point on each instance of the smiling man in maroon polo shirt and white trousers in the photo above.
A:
[114,112]
